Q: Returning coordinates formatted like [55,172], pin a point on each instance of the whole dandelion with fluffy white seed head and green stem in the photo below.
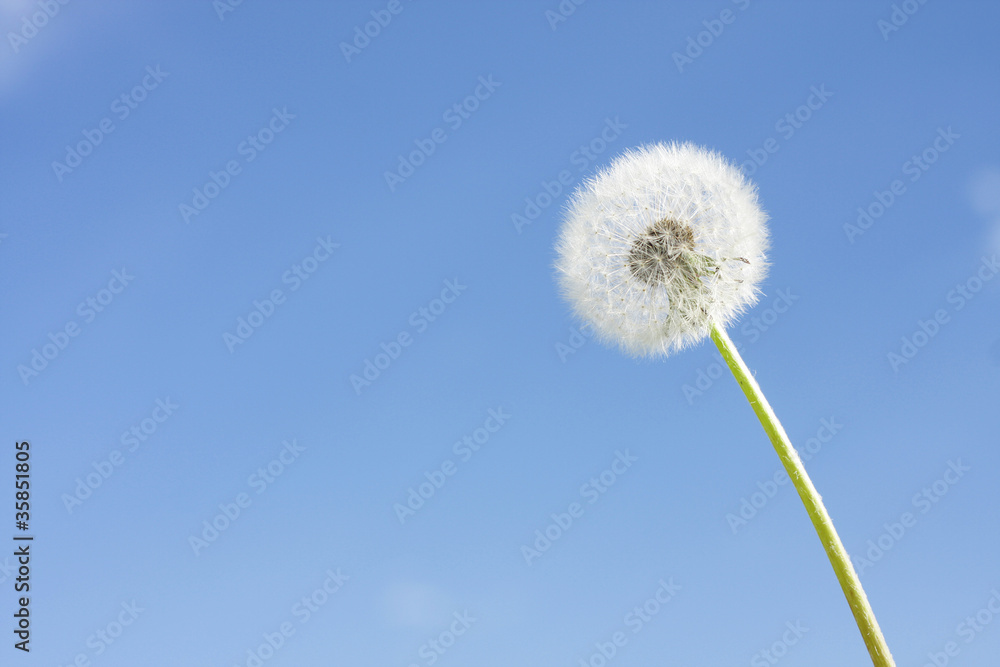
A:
[666,247]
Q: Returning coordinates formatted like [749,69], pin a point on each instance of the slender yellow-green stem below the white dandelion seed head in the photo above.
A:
[848,578]
